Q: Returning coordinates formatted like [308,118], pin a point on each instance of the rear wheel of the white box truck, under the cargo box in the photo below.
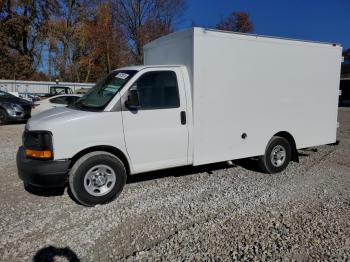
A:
[268,162]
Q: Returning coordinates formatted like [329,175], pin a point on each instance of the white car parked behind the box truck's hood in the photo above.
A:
[55,101]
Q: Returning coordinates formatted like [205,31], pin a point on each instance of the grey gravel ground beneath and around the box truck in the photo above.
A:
[214,212]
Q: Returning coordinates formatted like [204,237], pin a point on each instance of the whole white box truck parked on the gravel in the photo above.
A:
[202,96]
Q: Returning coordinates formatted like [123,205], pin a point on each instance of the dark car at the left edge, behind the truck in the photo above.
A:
[13,108]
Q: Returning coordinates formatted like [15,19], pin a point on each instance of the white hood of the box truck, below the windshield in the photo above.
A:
[56,116]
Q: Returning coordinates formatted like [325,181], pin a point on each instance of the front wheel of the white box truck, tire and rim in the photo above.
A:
[97,178]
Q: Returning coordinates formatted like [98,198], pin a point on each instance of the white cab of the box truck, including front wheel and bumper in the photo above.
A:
[137,118]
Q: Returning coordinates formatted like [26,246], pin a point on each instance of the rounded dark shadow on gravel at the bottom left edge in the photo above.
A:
[51,254]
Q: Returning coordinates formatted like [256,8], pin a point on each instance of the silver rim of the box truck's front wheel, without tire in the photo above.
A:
[99,180]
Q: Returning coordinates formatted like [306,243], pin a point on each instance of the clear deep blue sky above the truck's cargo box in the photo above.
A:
[317,20]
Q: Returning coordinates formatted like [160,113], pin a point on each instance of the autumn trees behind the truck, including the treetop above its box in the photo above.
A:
[81,40]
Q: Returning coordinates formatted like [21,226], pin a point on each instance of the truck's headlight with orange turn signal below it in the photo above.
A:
[38,144]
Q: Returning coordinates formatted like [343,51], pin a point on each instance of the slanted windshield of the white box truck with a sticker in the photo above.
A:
[104,91]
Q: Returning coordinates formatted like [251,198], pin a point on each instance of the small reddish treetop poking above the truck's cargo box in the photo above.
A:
[236,22]
